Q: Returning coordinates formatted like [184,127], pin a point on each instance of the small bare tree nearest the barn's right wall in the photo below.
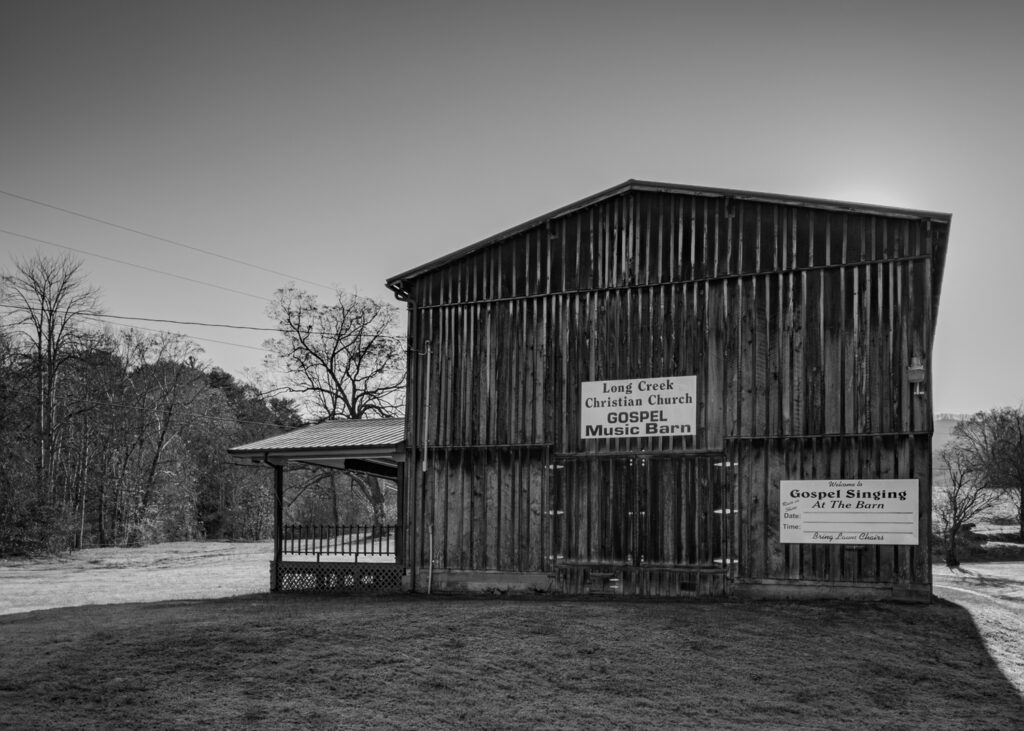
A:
[965,499]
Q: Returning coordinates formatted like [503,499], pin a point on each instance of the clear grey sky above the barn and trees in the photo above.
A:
[248,146]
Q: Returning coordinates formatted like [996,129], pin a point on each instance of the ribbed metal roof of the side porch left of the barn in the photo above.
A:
[372,446]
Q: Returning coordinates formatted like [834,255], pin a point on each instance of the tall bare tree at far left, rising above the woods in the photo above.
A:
[50,298]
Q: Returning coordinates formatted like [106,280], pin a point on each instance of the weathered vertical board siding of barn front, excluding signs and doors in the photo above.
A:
[800,324]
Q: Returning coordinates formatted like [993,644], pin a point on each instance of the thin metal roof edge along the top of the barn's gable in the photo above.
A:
[397,283]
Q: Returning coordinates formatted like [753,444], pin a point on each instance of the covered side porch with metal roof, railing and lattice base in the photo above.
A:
[336,558]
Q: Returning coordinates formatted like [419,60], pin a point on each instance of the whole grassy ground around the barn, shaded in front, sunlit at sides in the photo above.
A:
[282,662]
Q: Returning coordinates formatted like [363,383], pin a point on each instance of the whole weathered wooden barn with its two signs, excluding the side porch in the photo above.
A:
[676,392]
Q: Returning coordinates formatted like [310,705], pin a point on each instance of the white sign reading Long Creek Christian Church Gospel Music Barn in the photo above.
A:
[639,407]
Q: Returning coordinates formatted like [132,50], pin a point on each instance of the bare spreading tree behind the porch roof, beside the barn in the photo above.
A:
[345,360]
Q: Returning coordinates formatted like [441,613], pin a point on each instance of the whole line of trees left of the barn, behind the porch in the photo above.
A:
[118,438]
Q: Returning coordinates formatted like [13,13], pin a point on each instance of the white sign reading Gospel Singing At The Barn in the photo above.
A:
[861,512]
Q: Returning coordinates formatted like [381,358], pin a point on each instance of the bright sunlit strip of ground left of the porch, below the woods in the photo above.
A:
[151,574]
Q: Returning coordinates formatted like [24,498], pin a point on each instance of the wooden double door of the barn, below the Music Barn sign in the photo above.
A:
[643,511]
